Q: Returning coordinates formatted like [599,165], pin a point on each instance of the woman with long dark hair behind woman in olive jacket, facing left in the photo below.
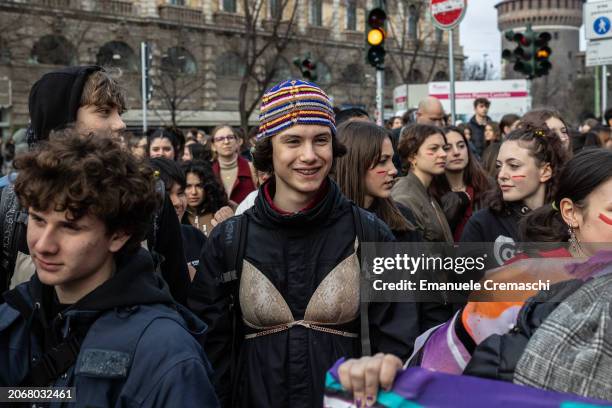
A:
[461,188]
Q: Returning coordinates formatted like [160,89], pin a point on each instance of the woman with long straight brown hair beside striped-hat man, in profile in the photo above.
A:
[366,175]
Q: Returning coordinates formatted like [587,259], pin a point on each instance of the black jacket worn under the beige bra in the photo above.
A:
[295,252]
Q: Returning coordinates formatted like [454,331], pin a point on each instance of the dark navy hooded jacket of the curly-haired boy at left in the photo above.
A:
[138,347]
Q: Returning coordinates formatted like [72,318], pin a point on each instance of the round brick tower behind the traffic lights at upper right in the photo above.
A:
[562,19]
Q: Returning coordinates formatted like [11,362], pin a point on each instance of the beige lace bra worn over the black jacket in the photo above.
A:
[334,302]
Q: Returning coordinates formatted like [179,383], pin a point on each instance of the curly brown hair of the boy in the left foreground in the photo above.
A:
[89,175]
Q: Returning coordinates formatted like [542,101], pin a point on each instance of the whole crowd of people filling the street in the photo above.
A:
[191,269]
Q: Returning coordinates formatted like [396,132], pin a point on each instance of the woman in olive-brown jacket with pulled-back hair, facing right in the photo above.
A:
[423,149]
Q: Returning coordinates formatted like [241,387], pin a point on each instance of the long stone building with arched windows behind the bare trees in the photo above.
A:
[203,42]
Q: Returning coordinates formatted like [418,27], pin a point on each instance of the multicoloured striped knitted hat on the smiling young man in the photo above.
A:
[294,102]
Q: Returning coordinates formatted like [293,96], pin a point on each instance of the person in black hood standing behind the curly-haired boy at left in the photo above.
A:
[89,99]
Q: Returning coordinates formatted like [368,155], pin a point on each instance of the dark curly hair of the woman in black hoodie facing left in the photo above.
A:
[545,147]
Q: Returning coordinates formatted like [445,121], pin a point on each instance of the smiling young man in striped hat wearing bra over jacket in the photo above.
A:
[279,285]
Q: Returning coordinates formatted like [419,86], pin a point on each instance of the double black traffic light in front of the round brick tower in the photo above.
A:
[530,57]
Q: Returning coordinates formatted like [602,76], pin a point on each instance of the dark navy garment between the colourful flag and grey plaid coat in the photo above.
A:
[497,356]
